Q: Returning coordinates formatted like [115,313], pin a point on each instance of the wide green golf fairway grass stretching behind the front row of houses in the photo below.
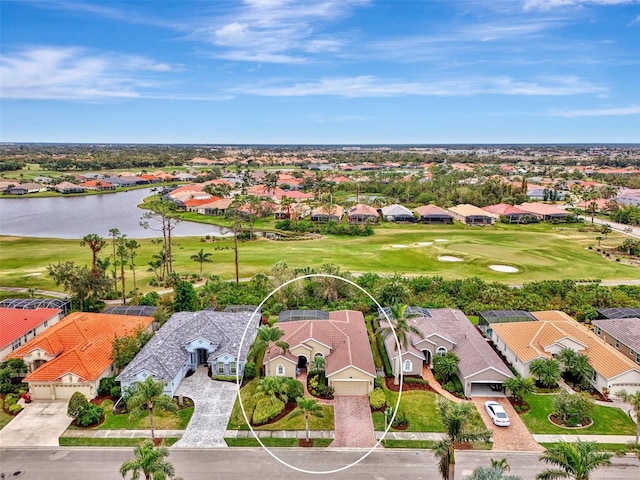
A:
[538,251]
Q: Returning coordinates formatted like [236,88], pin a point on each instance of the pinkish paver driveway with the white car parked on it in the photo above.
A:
[514,438]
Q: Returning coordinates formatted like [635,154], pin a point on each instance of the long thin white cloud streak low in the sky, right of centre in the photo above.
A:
[371,86]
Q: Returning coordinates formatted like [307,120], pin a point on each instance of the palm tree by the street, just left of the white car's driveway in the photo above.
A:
[456,418]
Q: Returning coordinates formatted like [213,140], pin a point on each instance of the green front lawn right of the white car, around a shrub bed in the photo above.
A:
[606,420]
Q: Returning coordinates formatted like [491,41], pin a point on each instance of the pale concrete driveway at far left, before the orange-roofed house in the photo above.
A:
[38,425]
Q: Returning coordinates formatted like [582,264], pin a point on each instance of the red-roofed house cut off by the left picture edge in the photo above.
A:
[19,325]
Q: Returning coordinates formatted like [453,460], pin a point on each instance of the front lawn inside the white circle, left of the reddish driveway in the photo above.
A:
[237,422]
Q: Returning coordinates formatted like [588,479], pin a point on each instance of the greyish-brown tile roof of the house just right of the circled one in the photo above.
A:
[474,352]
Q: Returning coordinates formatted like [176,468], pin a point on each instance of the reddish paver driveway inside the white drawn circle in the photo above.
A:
[353,422]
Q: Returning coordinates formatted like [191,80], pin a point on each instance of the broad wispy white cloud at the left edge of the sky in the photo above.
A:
[71,73]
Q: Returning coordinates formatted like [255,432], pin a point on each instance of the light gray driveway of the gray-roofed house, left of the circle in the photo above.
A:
[213,404]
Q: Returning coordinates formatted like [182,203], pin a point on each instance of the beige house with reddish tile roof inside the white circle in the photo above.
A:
[341,340]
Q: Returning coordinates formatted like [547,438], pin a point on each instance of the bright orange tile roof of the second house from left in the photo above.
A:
[81,343]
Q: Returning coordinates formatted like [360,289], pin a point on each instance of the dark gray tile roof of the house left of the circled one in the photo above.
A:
[164,355]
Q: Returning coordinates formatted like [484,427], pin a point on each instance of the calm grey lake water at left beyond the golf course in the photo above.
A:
[75,217]
